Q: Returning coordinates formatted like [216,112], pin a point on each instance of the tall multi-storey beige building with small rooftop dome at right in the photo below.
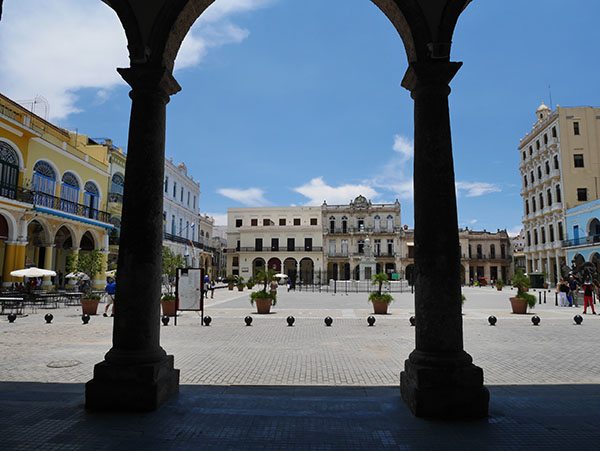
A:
[560,168]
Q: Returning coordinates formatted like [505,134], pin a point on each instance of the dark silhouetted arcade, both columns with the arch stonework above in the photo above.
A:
[439,378]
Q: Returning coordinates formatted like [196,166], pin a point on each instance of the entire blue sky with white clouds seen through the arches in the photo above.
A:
[288,102]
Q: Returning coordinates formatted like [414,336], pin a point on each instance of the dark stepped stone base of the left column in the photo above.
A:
[131,388]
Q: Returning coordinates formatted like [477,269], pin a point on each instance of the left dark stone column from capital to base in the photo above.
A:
[137,374]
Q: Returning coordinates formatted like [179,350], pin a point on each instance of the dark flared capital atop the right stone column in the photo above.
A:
[422,74]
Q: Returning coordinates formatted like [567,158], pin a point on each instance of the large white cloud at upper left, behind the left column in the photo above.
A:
[56,48]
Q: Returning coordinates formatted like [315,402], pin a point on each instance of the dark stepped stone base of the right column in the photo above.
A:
[445,392]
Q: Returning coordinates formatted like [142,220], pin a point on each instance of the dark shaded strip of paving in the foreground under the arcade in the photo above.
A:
[51,416]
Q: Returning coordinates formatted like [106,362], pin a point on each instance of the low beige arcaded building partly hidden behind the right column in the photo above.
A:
[483,254]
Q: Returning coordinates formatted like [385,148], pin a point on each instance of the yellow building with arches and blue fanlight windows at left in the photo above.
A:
[53,194]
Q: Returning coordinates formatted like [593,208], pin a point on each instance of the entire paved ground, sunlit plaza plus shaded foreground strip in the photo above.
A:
[270,386]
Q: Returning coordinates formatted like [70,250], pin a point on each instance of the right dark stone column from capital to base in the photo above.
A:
[439,378]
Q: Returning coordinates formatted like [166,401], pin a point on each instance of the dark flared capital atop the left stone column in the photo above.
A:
[147,80]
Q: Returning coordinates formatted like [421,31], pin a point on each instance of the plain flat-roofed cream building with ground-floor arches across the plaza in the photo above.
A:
[286,239]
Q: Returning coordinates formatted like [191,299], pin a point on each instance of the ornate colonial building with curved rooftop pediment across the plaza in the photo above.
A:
[345,229]
